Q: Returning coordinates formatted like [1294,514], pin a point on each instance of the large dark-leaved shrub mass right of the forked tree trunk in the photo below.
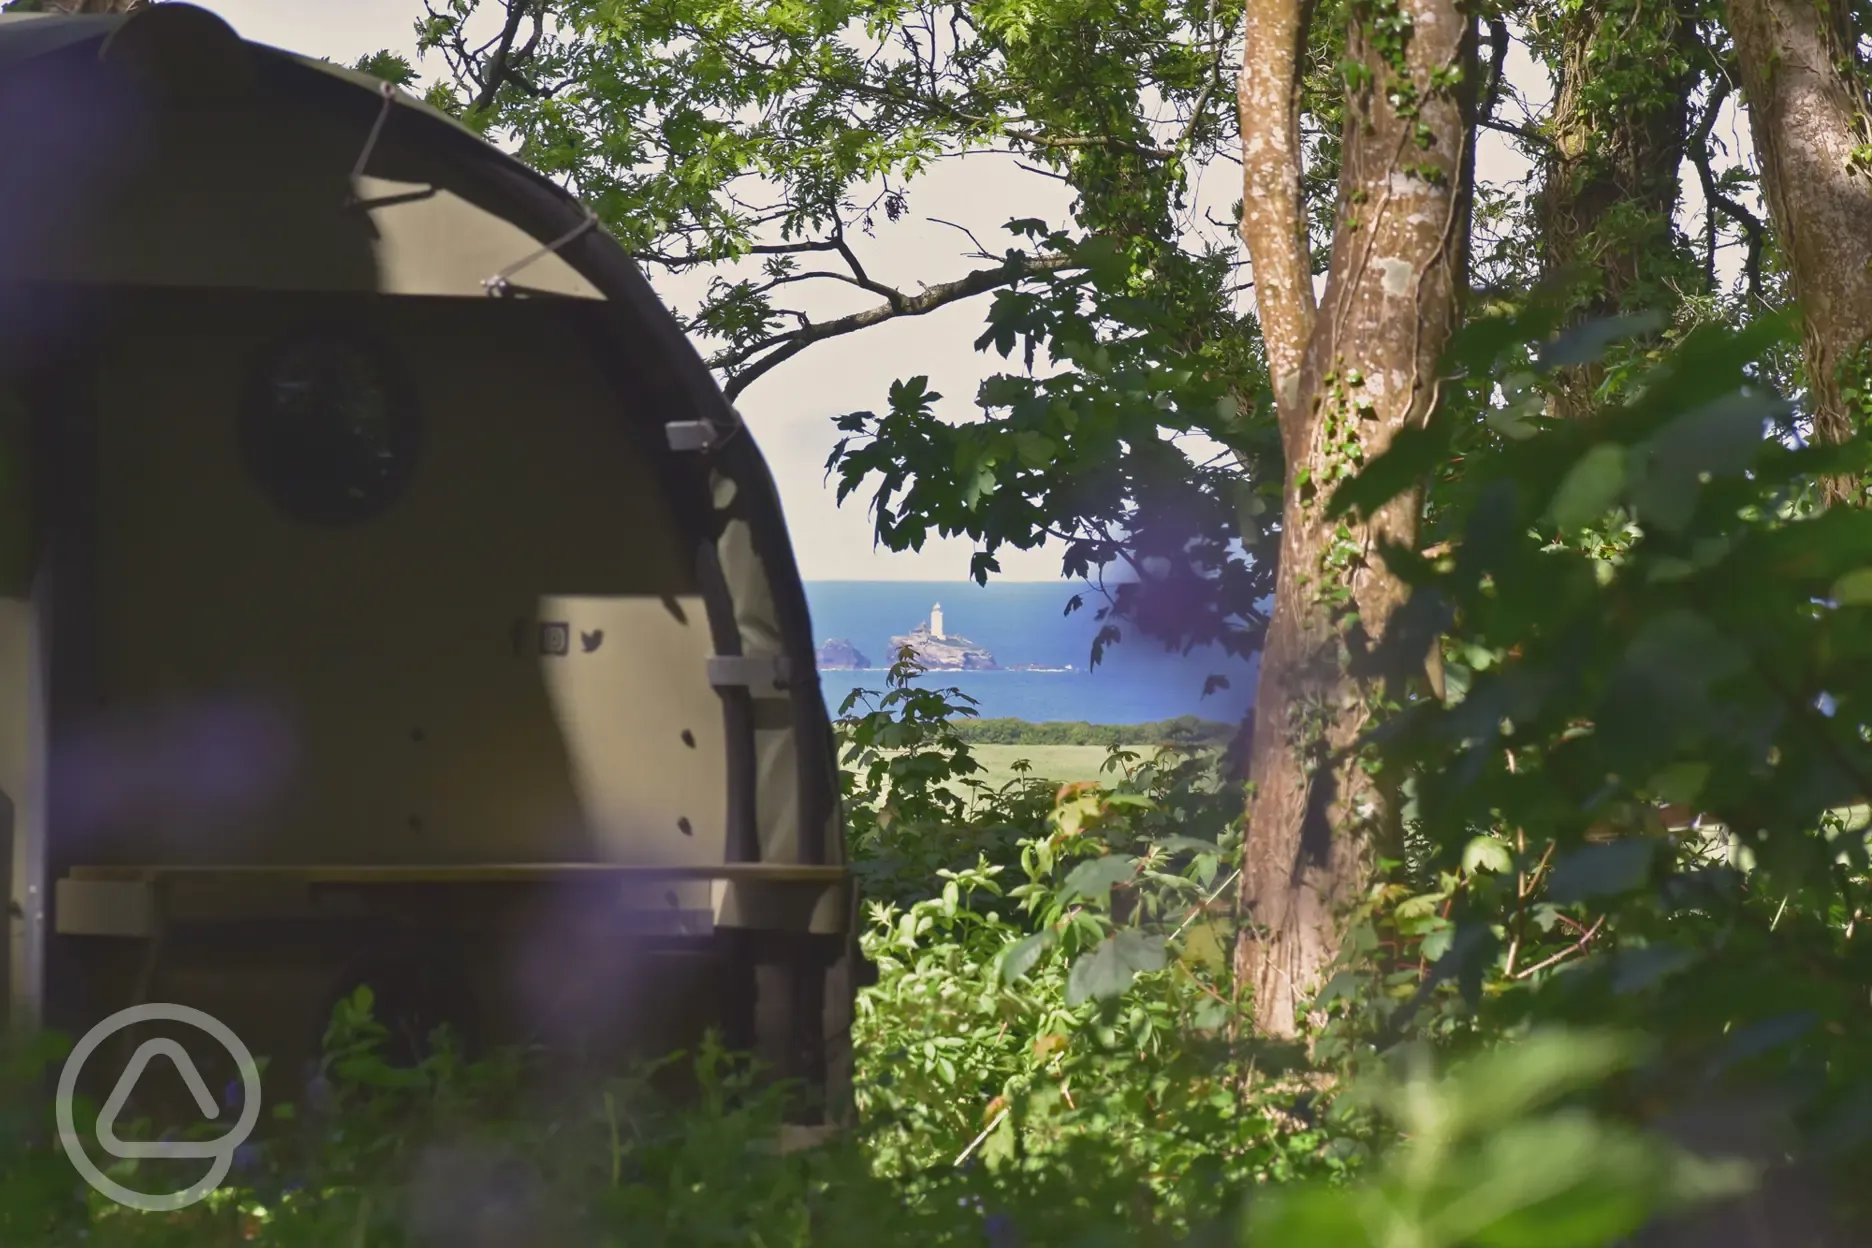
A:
[1639,613]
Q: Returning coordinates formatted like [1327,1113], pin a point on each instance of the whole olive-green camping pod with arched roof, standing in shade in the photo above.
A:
[388,594]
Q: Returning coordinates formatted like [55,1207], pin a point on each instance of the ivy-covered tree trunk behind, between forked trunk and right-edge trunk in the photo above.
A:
[1611,179]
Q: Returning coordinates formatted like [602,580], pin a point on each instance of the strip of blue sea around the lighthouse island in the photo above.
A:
[1025,624]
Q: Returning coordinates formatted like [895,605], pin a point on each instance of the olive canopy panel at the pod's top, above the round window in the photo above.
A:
[237,182]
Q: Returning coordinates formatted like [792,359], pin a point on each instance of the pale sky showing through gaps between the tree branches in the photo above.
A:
[791,411]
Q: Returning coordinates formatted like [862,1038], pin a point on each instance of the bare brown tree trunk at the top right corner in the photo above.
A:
[1811,124]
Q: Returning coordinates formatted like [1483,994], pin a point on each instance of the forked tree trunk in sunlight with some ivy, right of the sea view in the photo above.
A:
[1349,377]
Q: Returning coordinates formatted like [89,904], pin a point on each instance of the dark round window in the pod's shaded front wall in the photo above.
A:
[329,429]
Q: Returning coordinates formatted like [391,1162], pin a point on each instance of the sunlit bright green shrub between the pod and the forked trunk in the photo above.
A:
[1072,998]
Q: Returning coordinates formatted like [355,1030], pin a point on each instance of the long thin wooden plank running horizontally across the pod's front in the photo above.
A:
[469,873]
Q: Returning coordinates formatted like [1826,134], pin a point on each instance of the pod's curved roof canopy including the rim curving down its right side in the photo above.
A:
[269,171]
